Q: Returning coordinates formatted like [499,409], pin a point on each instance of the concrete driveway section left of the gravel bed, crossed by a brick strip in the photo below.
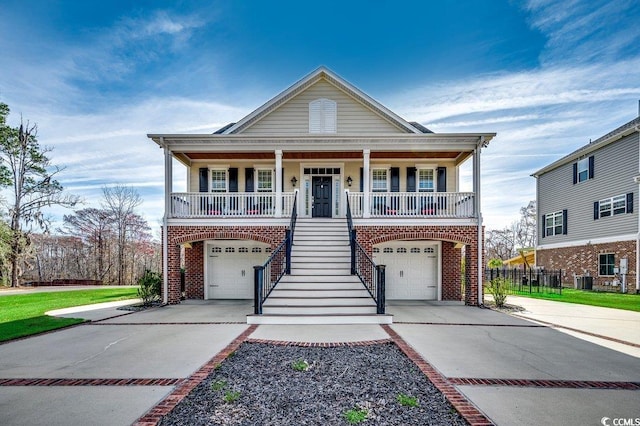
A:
[111,371]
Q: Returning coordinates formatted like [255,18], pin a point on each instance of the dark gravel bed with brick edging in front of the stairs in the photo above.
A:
[271,392]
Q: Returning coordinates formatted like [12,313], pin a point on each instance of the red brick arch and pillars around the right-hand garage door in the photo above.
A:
[368,236]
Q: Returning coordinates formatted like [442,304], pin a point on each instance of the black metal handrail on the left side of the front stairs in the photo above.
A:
[267,276]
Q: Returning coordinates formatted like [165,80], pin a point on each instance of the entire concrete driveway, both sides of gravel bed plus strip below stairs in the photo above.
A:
[113,370]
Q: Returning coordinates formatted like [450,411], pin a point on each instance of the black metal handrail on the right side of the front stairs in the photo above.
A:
[371,275]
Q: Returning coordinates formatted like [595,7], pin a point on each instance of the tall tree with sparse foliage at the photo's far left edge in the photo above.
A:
[26,167]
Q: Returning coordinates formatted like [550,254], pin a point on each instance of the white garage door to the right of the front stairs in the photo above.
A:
[411,269]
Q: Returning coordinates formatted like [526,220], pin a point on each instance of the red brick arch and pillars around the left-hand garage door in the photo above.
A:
[194,257]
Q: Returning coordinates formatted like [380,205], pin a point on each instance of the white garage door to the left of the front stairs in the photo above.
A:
[230,267]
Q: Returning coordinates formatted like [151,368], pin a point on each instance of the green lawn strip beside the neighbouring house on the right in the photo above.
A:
[629,302]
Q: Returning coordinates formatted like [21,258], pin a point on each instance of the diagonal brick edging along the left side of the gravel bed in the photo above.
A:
[162,408]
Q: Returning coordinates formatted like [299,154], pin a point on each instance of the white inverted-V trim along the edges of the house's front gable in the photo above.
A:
[306,82]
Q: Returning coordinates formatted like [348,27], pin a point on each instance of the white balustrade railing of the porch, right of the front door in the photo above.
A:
[414,204]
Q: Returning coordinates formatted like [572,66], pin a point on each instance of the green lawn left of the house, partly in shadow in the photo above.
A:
[23,314]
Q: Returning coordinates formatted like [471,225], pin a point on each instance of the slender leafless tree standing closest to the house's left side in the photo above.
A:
[121,201]
